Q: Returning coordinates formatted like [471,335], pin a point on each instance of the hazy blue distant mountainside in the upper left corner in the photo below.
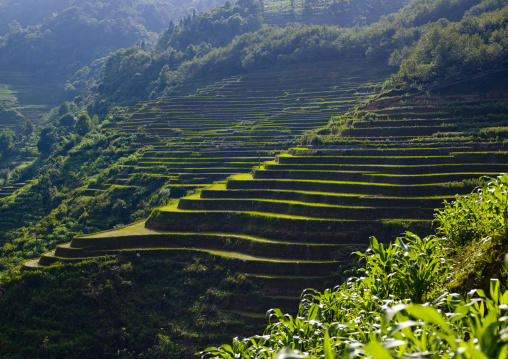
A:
[56,41]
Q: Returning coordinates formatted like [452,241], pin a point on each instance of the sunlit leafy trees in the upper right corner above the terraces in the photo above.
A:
[452,51]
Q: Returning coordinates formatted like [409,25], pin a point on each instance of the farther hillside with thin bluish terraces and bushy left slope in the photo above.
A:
[157,151]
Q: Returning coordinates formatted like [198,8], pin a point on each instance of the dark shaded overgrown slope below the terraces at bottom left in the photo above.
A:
[157,306]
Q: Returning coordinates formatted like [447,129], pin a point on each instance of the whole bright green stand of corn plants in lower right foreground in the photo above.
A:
[379,315]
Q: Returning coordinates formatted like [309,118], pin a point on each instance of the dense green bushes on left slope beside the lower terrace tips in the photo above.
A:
[49,210]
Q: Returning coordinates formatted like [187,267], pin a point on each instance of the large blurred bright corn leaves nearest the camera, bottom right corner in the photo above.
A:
[450,327]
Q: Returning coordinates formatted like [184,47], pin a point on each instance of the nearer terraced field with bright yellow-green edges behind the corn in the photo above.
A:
[296,219]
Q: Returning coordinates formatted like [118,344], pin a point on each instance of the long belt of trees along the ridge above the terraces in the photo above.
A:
[427,42]
